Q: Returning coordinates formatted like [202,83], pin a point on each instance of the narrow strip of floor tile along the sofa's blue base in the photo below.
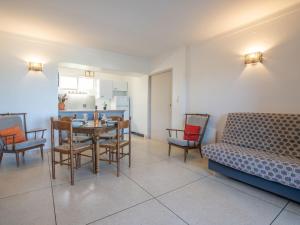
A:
[260,194]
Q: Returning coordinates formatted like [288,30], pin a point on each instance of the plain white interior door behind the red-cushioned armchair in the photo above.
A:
[161,105]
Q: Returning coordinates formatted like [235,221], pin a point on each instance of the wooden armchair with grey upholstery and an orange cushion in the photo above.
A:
[9,142]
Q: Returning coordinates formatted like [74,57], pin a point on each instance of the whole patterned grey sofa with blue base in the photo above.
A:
[262,149]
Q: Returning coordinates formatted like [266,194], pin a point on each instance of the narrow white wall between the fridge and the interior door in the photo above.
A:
[138,91]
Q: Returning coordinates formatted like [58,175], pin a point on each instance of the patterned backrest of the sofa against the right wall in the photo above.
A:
[279,133]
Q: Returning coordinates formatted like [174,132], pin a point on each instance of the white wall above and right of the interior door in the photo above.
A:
[176,61]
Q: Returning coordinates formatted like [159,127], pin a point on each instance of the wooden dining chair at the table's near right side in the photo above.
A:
[115,147]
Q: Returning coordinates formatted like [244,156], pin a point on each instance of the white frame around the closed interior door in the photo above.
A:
[149,96]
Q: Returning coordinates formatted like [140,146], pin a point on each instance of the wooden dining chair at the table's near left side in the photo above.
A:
[71,149]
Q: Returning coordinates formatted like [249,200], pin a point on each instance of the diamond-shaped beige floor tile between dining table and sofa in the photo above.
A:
[161,177]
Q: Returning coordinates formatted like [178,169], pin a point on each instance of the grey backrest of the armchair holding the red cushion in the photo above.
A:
[197,120]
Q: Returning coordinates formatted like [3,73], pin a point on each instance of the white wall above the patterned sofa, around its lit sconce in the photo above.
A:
[219,82]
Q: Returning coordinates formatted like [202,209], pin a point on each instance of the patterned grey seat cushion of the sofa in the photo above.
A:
[283,169]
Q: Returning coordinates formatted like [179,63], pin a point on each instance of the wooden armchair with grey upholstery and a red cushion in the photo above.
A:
[190,140]
